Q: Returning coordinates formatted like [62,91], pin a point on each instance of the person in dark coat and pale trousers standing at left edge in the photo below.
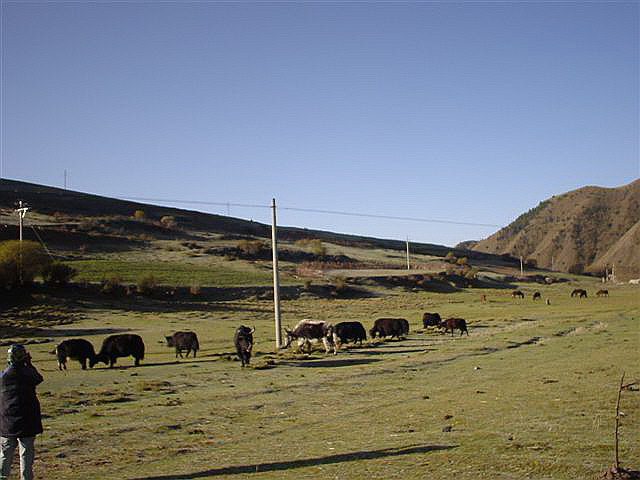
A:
[20,419]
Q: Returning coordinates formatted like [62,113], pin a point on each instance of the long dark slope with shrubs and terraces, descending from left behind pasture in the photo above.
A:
[106,238]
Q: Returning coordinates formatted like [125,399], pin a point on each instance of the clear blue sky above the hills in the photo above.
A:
[459,111]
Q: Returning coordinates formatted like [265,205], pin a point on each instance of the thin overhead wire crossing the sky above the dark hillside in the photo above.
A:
[311,210]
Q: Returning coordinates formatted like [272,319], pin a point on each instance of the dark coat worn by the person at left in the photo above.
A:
[19,406]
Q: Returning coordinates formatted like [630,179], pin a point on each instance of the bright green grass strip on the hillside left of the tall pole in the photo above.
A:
[171,273]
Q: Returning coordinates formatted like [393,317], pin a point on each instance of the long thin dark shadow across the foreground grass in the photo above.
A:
[306,462]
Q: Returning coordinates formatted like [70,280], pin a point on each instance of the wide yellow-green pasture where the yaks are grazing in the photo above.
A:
[529,394]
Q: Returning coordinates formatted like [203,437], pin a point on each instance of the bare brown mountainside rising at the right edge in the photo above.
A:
[585,229]
